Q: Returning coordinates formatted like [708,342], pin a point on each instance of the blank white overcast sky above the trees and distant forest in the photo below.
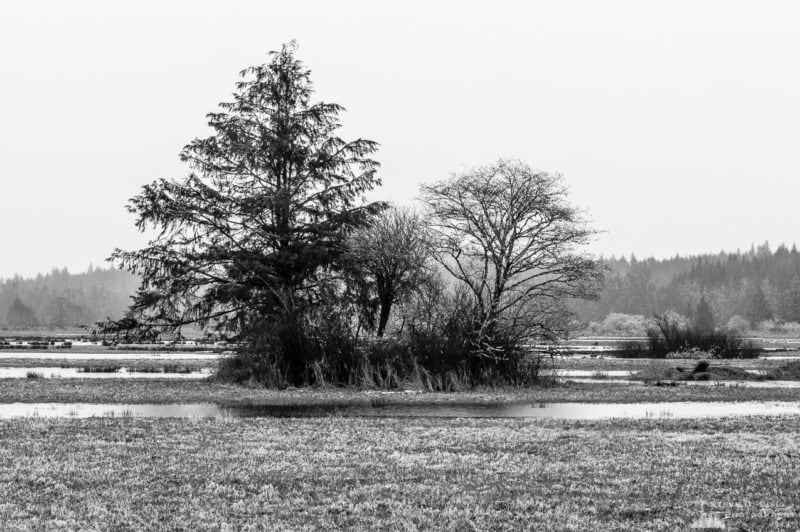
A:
[676,124]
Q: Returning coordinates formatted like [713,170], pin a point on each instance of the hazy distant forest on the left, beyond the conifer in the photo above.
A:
[61,299]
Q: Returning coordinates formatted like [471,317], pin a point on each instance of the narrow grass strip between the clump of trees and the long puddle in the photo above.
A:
[177,391]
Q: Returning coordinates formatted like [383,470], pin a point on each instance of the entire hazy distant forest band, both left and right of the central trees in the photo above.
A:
[757,286]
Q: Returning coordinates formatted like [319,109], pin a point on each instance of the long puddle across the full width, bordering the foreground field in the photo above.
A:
[547,410]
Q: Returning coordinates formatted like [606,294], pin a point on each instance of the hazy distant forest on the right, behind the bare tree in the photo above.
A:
[758,286]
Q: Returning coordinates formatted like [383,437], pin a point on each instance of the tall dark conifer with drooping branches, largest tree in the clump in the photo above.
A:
[246,240]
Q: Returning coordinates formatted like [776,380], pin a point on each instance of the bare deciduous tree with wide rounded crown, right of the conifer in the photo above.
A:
[509,234]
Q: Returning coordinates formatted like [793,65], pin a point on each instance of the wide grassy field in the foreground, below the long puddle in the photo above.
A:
[410,474]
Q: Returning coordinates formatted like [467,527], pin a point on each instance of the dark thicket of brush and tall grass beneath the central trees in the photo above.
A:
[434,351]
